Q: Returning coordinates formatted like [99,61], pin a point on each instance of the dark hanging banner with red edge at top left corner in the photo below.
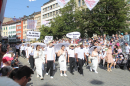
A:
[2,11]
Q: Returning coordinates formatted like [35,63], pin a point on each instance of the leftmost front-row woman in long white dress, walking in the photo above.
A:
[39,61]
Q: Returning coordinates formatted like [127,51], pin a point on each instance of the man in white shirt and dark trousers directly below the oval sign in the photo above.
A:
[71,58]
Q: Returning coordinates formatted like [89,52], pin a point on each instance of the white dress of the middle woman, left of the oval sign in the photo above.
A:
[62,62]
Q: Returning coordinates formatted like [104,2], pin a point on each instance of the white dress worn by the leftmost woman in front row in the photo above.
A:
[39,60]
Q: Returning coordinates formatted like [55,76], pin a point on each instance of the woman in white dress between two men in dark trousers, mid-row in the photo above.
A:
[62,60]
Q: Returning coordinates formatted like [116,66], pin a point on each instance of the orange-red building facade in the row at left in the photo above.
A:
[19,31]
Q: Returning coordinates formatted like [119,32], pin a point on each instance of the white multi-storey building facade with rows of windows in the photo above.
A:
[49,11]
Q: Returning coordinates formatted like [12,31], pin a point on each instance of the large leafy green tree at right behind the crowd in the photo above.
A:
[109,16]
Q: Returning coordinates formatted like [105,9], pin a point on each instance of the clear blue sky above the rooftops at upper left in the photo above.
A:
[18,8]
